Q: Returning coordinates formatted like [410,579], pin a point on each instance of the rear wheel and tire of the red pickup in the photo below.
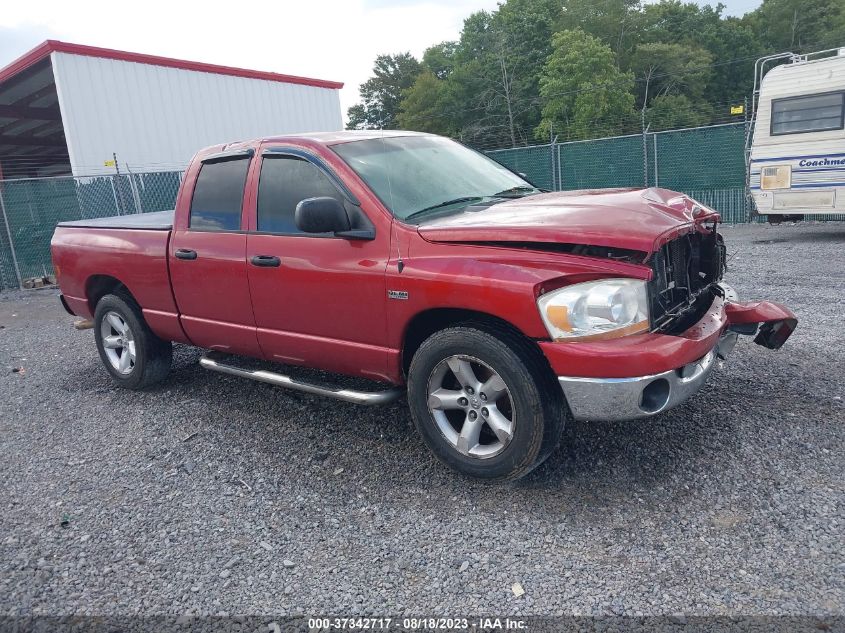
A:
[120,330]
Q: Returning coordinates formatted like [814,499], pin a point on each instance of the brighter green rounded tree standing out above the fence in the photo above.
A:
[583,93]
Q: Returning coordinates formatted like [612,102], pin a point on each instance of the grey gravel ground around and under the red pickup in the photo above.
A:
[213,495]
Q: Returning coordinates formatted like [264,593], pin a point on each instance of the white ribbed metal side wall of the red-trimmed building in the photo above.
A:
[156,117]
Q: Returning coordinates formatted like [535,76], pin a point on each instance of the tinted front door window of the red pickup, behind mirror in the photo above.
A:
[284,182]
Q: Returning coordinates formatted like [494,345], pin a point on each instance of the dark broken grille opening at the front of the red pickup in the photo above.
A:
[686,271]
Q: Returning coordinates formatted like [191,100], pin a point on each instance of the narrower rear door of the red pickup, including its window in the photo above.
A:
[208,256]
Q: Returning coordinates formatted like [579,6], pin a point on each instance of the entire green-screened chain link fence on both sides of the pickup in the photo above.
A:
[707,163]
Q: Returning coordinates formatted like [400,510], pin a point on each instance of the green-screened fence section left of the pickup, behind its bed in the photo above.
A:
[32,207]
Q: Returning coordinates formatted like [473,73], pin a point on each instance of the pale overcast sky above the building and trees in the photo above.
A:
[326,39]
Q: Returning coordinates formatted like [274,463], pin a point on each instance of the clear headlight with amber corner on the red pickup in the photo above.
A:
[608,308]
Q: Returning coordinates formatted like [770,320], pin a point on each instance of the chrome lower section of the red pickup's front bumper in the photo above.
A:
[641,396]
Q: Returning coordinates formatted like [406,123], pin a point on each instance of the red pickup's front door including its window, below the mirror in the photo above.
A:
[318,299]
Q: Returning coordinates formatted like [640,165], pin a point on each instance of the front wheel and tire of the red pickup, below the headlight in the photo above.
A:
[529,413]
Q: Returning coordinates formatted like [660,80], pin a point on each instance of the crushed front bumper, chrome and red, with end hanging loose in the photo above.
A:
[629,397]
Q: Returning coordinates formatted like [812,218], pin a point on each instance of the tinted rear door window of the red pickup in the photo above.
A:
[218,195]
